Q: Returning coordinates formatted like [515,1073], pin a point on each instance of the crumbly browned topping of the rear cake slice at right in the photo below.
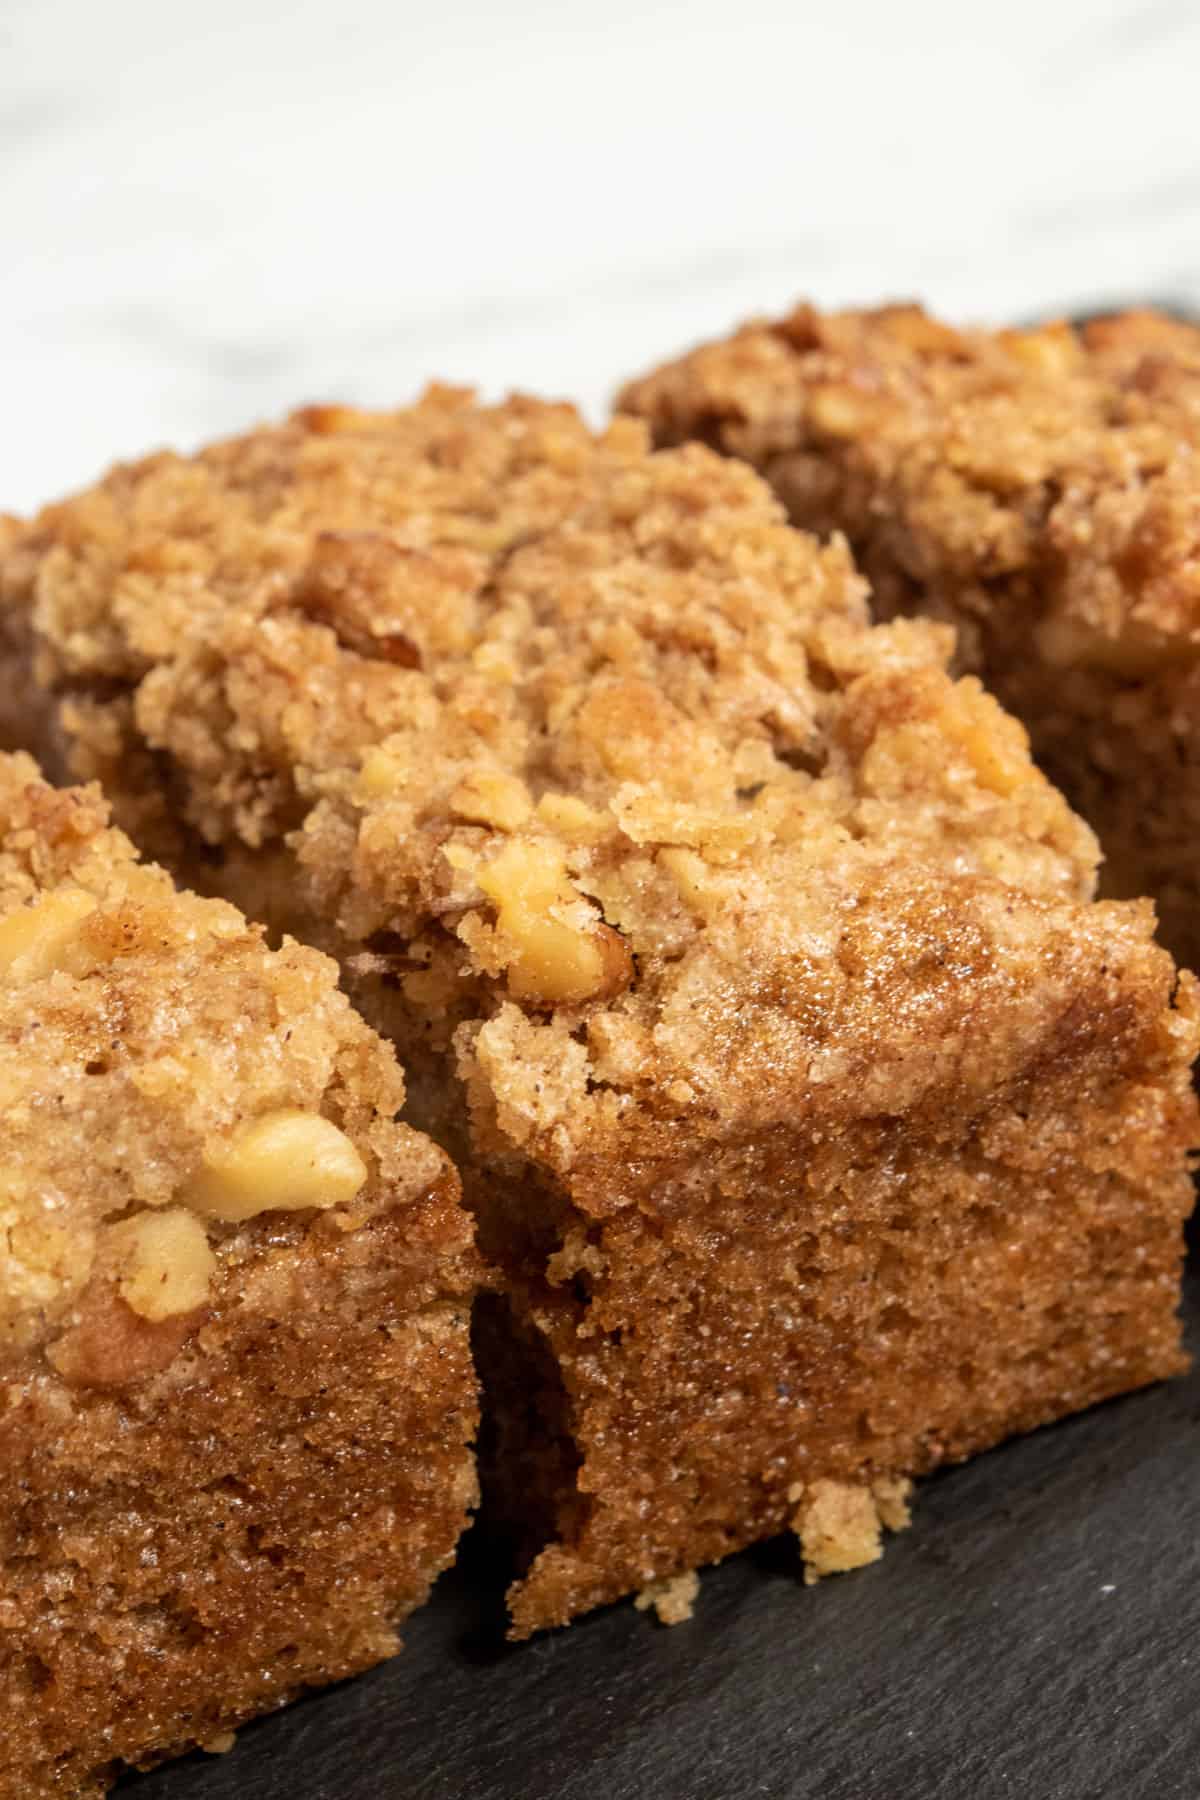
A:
[1055,460]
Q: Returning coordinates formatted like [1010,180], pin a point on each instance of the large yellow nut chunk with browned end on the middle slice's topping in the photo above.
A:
[557,948]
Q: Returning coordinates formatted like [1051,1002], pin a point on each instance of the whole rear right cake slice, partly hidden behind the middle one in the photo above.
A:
[1039,490]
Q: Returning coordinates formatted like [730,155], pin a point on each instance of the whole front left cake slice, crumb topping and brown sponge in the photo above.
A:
[237,1392]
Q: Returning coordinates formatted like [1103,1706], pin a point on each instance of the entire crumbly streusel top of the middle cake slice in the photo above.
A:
[584,742]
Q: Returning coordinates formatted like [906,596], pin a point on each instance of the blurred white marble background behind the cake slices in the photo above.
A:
[211,213]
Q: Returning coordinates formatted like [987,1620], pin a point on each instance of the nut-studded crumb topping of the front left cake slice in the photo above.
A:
[165,1079]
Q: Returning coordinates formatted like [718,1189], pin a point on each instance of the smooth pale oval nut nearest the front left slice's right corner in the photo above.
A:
[282,1162]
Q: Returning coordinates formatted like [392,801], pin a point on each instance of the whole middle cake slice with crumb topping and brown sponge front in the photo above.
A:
[818,1124]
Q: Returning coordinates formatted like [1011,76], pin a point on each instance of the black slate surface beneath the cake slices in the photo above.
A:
[1034,1637]
